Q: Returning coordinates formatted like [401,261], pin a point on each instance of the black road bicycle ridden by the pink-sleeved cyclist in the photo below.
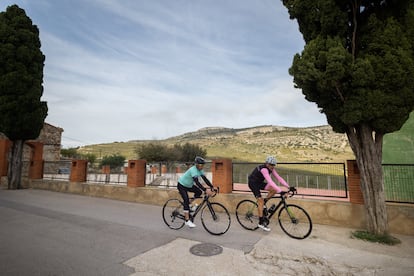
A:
[293,219]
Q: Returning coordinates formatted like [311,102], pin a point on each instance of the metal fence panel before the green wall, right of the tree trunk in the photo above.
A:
[399,182]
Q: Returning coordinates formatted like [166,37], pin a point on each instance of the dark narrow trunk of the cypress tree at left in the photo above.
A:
[14,172]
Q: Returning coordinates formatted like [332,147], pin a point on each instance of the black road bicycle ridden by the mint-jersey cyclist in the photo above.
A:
[214,216]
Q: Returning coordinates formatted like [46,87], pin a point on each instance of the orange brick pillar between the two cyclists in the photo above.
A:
[222,170]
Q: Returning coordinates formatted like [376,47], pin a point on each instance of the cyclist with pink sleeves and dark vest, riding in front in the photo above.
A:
[260,179]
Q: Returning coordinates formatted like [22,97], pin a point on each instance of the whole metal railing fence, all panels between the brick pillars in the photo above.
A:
[311,179]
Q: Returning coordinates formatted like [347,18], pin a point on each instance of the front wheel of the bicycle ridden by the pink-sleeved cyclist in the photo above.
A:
[295,221]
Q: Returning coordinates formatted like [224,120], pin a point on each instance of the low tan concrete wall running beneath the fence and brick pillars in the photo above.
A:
[336,213]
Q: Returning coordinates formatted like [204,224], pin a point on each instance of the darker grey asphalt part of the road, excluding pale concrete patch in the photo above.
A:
[49,233]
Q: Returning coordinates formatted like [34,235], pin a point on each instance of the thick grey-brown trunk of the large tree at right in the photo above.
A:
[367,147]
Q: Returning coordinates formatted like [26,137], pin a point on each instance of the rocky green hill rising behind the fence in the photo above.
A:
[288,144]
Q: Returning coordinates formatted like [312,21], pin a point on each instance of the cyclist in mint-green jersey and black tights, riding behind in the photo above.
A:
[189,182]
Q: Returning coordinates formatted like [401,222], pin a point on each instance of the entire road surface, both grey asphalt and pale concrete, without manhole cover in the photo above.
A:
[49,233]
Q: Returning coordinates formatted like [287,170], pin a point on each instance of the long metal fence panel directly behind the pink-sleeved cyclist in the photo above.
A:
[310,179]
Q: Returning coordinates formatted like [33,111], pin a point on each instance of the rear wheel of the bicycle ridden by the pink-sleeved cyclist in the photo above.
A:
[247,214]
